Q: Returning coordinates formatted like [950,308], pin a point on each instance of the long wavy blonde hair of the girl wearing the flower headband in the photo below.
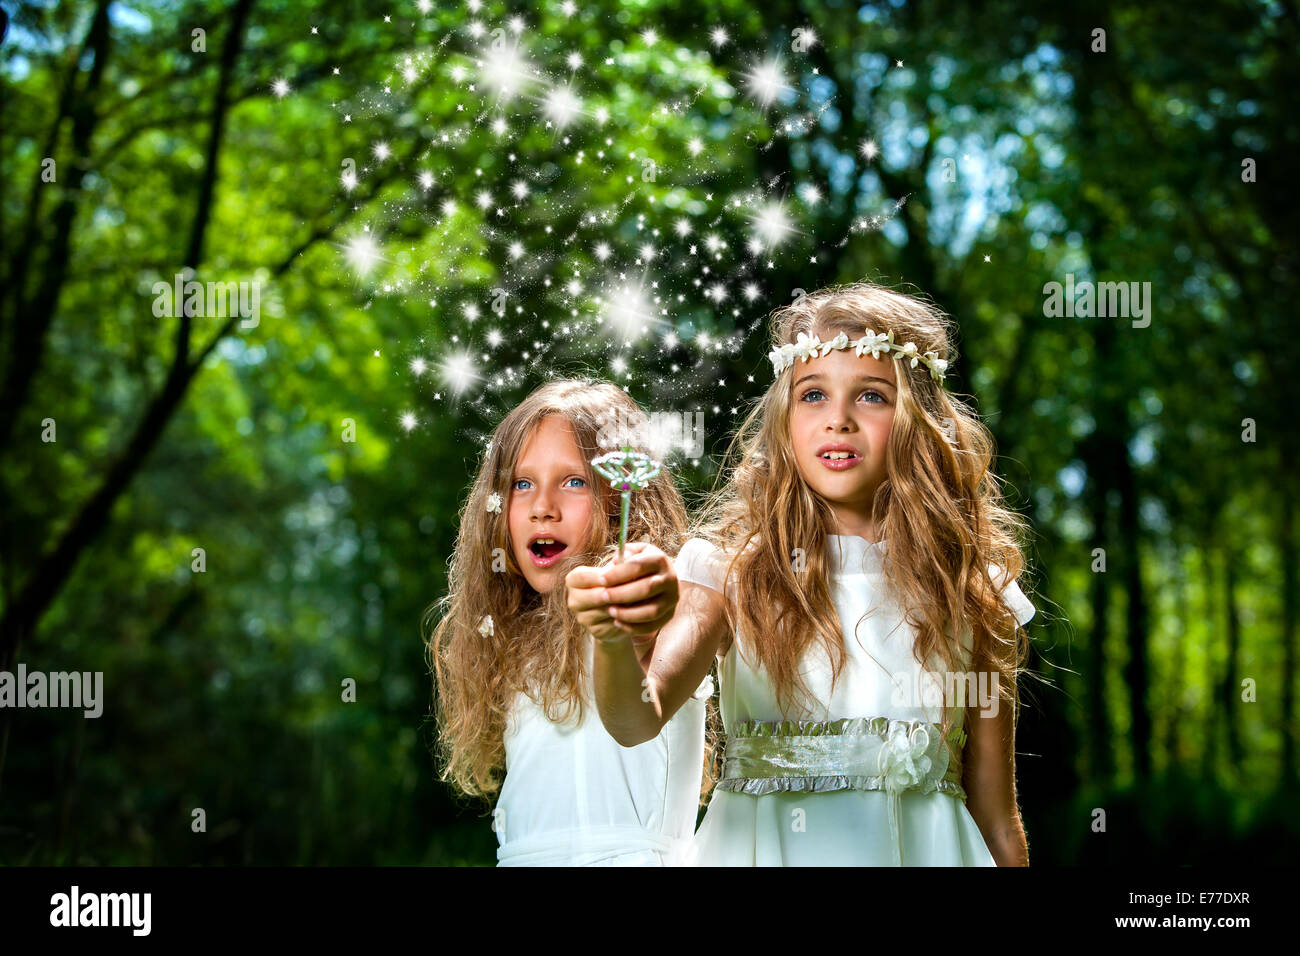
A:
[941,509]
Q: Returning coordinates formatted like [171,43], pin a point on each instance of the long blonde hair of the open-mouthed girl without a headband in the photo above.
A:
[538,646]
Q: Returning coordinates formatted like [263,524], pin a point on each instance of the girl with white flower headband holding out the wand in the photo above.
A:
[860,531]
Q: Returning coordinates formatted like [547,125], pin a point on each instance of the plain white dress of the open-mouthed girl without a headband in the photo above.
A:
[574,797]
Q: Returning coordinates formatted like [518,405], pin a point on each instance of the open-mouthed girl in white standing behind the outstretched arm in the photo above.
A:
[513,667]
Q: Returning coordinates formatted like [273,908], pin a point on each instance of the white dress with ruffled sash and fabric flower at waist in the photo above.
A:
[861,778]
